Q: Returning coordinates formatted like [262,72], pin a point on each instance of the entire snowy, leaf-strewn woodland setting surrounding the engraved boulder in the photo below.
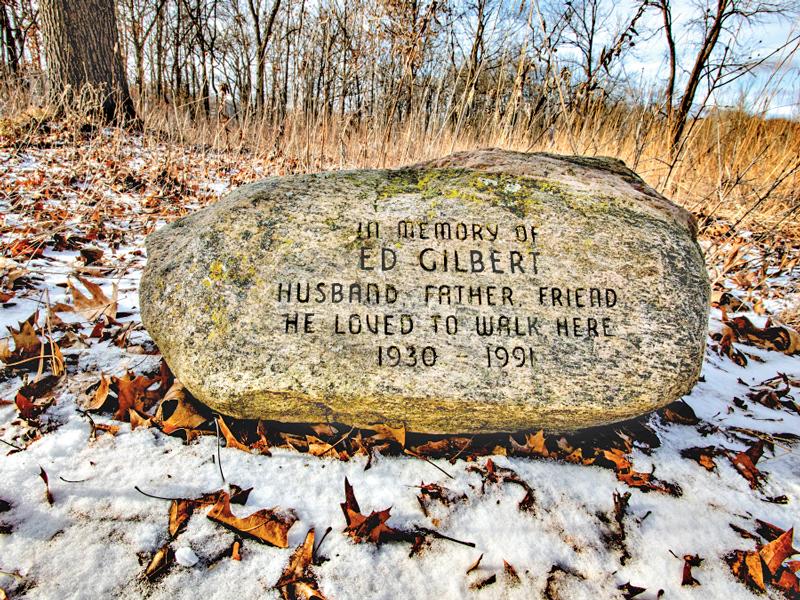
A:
[119,117]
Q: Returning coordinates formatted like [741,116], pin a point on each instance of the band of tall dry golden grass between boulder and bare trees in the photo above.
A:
[732,165]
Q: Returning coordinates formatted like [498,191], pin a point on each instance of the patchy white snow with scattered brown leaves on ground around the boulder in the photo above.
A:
[99,534]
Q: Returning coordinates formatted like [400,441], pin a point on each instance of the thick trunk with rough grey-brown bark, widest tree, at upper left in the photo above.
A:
[82,48]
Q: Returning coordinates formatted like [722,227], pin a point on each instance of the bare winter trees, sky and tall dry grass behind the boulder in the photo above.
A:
[306,86]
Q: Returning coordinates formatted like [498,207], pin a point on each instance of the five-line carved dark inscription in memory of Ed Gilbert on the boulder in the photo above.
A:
[480,266]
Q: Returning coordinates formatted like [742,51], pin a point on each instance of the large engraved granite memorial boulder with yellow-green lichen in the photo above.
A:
[221,283]
